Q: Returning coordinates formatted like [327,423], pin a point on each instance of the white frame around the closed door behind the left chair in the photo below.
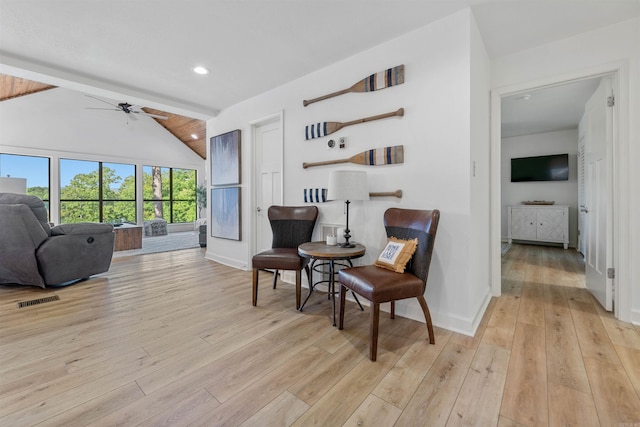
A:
[253,125]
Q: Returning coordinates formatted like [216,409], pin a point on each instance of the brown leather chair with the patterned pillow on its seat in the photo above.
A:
[380,285]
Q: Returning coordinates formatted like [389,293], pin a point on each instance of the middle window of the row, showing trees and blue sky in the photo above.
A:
[97,192]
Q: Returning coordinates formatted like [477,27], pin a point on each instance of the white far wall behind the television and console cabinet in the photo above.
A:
[561,192]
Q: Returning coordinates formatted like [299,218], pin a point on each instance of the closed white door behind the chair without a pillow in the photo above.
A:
[268,173]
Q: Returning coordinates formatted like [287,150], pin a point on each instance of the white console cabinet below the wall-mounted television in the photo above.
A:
[539,223]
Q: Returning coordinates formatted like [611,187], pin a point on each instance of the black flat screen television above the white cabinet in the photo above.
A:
[540,168]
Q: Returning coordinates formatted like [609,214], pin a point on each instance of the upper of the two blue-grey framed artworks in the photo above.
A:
[225,158]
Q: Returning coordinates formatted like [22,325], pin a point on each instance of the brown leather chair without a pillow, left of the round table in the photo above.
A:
[291,226]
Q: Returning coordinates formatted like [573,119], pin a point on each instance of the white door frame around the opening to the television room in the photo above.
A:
[621,171]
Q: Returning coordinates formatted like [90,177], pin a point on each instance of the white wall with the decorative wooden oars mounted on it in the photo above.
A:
[435,132]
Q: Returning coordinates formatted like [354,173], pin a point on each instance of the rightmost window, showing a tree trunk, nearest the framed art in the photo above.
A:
[169,194]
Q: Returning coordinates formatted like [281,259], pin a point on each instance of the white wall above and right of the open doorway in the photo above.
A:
[612,47]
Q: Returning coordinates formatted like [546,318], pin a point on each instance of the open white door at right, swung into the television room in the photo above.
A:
[598,191]
